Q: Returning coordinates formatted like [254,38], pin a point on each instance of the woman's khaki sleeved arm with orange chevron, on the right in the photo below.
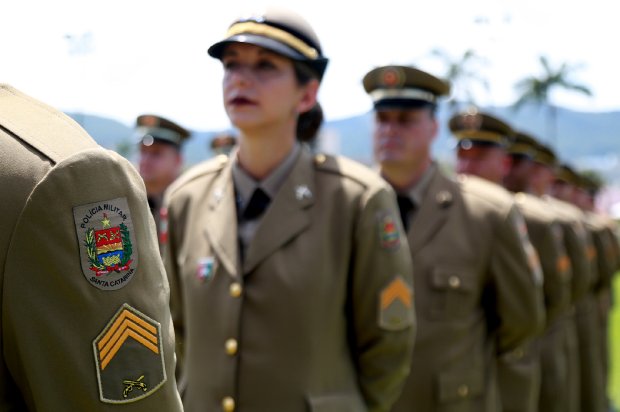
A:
[381,301]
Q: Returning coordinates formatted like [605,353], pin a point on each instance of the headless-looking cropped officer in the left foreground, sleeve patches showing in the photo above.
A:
[85,318]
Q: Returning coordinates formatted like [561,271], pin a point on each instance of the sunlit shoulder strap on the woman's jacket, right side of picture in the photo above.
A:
[344,168]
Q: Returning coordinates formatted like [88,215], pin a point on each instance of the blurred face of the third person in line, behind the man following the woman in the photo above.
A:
[488,162]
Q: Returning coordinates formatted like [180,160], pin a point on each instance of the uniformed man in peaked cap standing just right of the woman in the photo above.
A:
[475,299]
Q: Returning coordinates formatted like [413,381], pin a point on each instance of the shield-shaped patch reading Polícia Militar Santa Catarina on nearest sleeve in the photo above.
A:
[107,243]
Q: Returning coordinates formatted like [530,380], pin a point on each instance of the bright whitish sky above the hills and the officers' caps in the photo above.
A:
[123,58]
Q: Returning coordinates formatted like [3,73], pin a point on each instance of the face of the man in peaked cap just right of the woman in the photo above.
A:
[402,138]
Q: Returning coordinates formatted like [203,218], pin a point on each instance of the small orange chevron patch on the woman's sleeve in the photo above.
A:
[396,305]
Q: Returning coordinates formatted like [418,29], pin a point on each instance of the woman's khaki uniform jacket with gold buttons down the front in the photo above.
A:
[319,315]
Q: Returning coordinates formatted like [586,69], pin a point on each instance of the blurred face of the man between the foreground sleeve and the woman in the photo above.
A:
[160,164]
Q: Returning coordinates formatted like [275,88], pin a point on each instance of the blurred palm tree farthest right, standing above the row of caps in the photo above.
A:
[537,90]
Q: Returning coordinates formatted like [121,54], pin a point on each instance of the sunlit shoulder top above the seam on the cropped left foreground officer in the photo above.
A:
[47,130]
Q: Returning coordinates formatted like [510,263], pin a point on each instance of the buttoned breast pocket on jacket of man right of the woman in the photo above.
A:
[454,291]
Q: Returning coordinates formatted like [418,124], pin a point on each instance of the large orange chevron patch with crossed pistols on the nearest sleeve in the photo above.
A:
[129,357]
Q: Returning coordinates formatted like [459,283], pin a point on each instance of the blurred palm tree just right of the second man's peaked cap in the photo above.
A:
[462,73]
